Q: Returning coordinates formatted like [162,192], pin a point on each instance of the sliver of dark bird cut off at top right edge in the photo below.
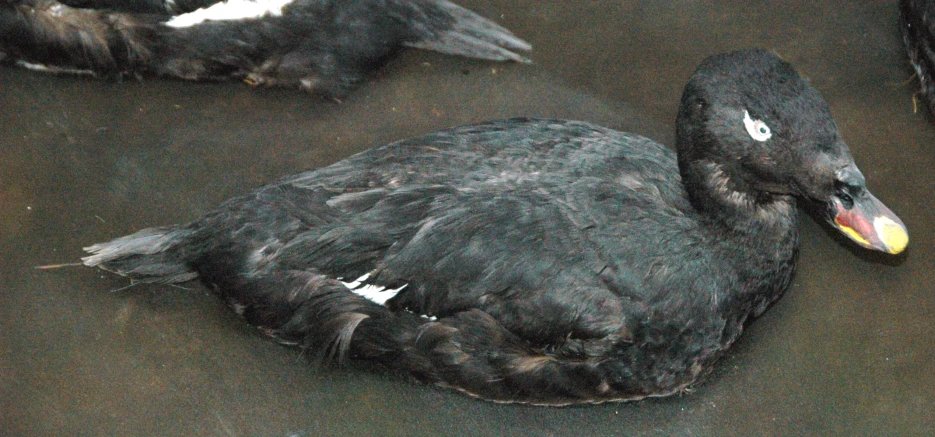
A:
[918,32]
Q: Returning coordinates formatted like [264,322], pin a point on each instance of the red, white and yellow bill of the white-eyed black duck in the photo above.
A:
[870,224]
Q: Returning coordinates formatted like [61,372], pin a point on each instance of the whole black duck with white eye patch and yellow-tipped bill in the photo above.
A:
[542,261]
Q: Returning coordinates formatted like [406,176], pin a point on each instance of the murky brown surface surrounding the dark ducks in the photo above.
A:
[849,351]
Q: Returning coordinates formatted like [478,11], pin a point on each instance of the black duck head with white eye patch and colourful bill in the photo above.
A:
[752,134]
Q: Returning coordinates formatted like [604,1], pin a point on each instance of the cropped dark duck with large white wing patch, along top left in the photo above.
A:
[316,45]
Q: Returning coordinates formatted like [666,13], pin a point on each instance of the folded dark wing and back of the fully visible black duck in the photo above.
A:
[525,231]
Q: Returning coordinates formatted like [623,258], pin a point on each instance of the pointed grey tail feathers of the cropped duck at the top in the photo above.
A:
[468,34]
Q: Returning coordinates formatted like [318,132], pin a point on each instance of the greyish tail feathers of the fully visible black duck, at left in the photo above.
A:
[150,255]
